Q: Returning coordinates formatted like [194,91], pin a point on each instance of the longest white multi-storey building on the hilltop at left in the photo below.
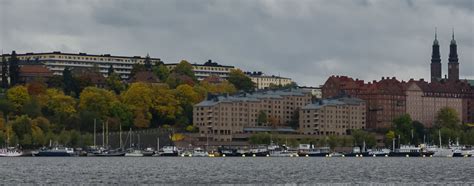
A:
[57,61]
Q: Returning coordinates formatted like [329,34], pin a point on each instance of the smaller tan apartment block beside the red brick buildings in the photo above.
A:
[333,116]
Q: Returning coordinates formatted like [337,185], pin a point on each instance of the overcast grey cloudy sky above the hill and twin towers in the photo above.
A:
[306,40]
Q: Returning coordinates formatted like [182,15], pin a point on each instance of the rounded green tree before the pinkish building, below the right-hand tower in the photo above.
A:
[448,118]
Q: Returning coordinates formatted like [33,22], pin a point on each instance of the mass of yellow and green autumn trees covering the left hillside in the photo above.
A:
[64,108]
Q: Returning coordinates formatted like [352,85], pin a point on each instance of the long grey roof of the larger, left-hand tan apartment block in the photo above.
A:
[253,97]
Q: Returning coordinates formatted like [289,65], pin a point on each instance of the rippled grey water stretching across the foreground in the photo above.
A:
[249,170]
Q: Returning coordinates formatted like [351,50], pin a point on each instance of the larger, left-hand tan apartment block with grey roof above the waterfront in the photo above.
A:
[224,118]
